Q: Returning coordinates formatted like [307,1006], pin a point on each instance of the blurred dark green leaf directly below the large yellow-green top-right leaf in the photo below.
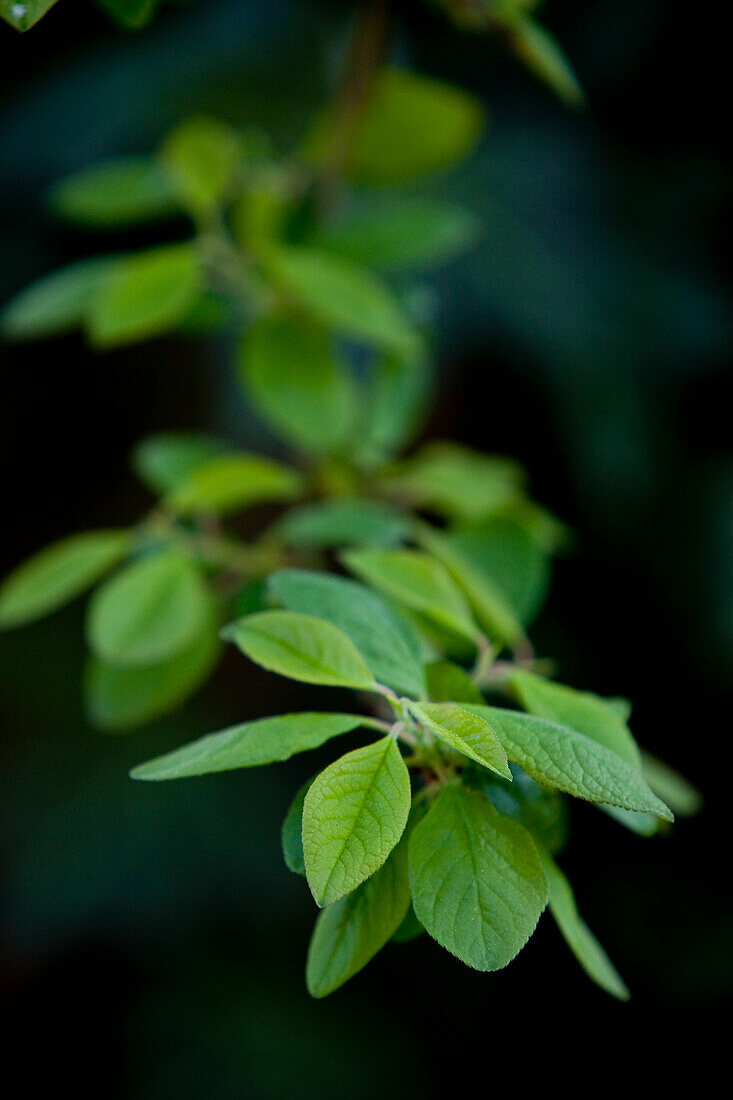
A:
[401,233]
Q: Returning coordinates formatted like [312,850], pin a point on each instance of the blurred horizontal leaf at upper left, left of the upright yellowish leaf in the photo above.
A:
[115,194]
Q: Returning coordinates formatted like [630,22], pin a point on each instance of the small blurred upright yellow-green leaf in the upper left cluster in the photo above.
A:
[202,157]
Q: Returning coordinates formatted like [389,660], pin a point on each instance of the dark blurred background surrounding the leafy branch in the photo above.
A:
[154,941]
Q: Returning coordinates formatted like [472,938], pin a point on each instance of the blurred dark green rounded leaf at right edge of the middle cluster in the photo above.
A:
[512,558]
